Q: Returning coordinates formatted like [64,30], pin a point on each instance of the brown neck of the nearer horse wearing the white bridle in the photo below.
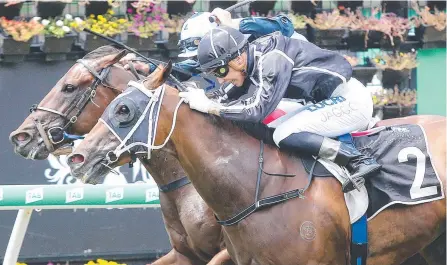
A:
[222,162]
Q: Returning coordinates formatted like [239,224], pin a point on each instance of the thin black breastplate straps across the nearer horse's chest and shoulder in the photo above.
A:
[268,201]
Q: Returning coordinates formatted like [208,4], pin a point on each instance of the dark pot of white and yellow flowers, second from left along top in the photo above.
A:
[58,36]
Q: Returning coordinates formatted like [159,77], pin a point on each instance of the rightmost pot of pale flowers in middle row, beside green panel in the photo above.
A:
[395,68]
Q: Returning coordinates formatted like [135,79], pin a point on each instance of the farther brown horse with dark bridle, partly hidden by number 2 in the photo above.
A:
[193,231]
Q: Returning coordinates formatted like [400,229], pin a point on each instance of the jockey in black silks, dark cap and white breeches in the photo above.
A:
[274,67]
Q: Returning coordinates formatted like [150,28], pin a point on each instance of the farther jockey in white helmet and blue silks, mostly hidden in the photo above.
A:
[198,25]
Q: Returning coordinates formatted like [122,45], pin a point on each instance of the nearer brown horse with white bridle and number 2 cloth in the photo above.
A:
[222,163]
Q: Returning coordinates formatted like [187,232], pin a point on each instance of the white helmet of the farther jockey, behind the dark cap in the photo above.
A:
[192,32]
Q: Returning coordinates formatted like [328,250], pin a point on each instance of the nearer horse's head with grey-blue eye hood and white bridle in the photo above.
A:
[125,120]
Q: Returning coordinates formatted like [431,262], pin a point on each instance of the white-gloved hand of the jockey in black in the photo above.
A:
[198,100]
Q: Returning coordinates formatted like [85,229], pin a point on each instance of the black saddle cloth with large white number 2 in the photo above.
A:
[407,175]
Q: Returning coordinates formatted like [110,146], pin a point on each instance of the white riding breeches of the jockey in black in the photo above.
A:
[349,109]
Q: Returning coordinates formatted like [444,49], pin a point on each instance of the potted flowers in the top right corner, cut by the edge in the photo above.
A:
[430,27]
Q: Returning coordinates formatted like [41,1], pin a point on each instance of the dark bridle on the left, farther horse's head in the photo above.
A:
[56,135]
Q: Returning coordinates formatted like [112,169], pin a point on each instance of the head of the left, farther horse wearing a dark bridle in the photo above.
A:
[74,105]
